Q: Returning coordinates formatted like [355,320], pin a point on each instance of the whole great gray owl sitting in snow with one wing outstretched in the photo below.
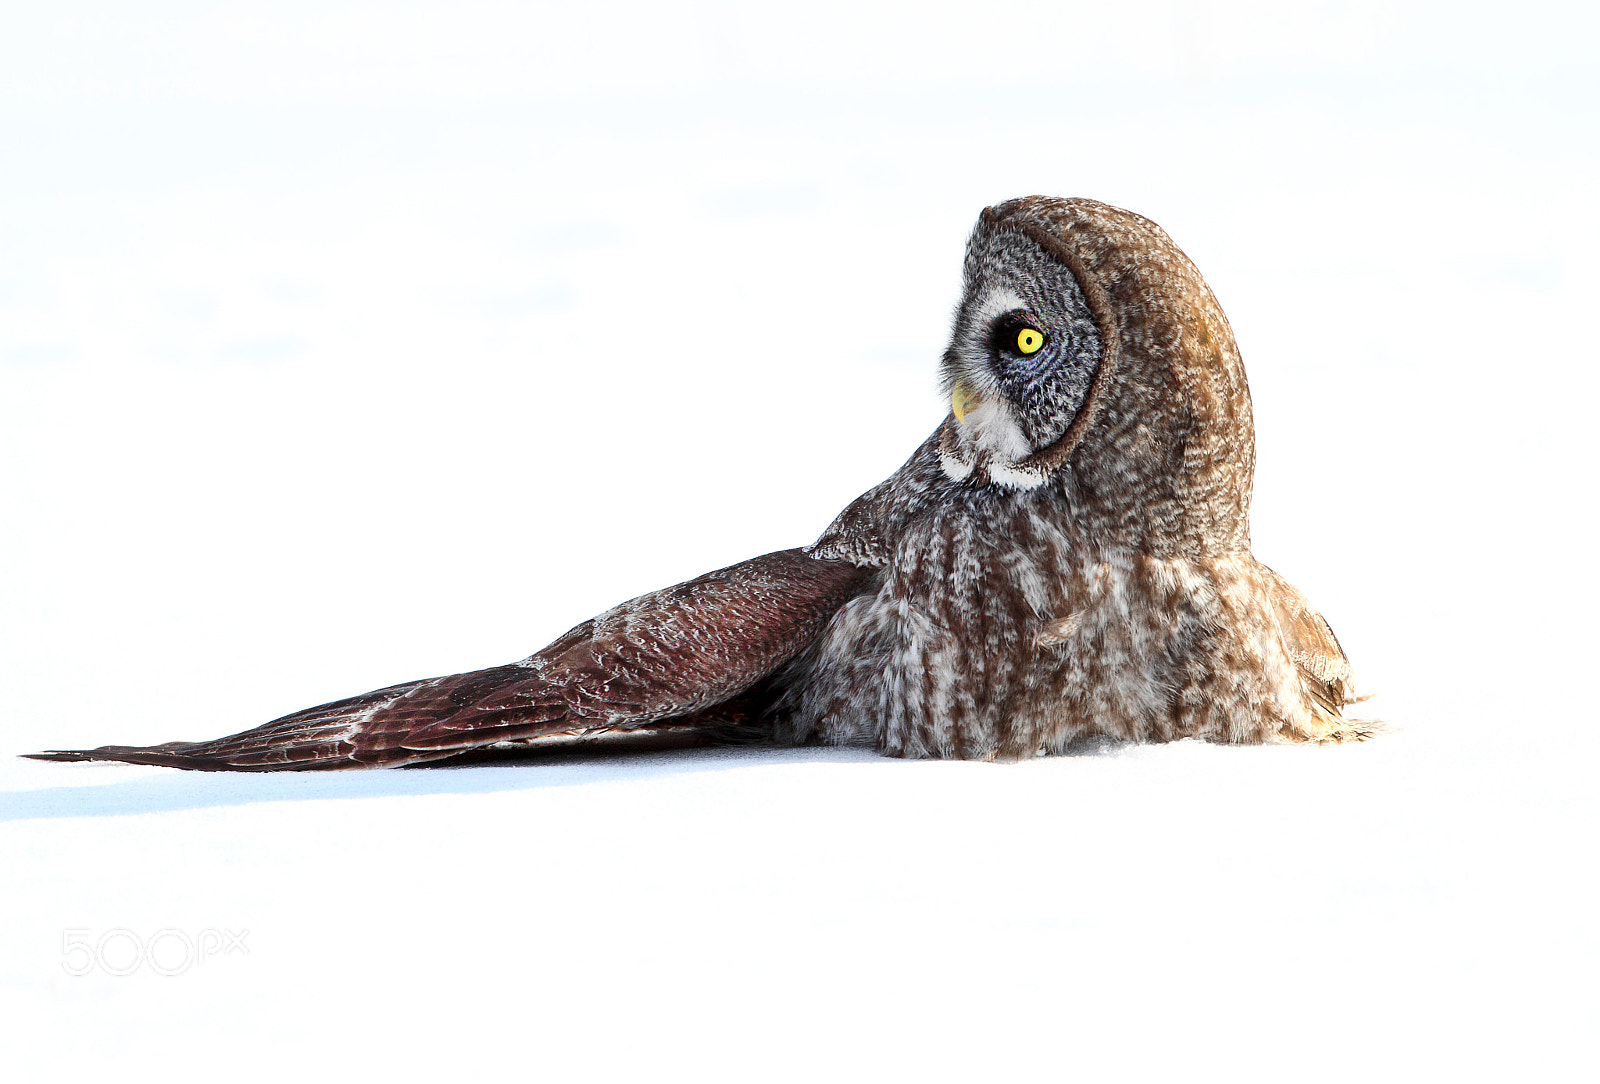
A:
[1066,557]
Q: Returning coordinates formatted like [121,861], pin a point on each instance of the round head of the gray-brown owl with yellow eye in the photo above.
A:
[1087,351]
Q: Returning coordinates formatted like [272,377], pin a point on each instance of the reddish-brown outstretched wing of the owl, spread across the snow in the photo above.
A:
[662,656]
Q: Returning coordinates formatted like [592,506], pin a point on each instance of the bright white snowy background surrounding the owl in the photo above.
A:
[345,345]
